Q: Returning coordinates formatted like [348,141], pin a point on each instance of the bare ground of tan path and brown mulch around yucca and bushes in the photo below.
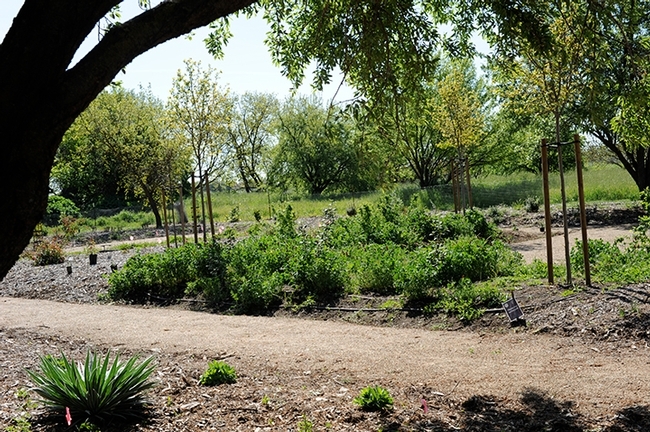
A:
[581,362]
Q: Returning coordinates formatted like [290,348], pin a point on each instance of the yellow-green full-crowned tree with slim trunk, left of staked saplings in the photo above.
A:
[130,136]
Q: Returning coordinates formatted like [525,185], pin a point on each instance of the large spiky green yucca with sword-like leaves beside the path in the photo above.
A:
[96,390]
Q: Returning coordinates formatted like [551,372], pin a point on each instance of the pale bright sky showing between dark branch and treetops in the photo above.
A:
[246,65]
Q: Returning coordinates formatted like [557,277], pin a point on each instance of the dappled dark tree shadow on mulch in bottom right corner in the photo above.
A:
[533,412]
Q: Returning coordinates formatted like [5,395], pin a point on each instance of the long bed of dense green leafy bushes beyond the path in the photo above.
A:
[387,250]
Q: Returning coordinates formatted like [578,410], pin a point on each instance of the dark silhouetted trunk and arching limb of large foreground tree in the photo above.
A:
[40,96]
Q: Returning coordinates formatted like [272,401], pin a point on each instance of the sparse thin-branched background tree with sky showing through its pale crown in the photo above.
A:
[251,135]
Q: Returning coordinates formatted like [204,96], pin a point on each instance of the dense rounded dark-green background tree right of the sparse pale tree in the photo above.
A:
[315,150]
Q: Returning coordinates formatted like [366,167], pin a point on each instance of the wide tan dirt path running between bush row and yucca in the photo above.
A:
[503,365]
